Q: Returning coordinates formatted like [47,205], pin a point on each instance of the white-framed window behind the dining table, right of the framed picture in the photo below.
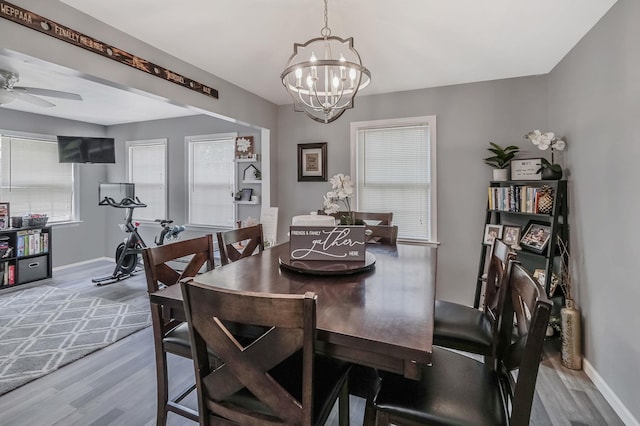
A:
[393,164]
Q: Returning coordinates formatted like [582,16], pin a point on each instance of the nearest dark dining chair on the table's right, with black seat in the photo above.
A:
[457,389]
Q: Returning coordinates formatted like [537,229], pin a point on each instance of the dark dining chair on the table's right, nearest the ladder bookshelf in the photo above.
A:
[465,328]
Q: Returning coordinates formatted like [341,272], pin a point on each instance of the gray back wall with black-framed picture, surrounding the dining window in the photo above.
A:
[468,117]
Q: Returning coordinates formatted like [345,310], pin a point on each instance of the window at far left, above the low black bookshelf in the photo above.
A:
[33,181]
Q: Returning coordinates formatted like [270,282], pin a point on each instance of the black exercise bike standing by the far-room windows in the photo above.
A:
[127,252]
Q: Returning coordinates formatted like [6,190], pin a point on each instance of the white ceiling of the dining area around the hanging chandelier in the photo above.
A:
[406,44]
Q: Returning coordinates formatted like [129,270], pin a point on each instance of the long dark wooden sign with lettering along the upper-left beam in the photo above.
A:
[53,29]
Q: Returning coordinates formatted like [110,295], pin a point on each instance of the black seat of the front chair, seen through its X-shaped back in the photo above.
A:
[327,386]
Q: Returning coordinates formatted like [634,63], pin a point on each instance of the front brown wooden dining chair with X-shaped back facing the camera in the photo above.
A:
[275,379]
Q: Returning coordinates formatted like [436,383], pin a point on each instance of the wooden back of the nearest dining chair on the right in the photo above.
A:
[520,346]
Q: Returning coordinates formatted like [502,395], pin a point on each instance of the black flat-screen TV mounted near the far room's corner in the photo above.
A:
[80,149]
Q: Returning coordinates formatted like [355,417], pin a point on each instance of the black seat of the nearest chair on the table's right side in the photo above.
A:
[441,397]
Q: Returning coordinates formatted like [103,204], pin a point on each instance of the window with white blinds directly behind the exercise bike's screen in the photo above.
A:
[147,161]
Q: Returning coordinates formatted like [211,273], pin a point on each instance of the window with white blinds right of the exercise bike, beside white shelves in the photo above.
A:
[211,180]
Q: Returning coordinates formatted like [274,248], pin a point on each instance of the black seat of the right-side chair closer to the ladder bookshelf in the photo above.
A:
[462,327]
